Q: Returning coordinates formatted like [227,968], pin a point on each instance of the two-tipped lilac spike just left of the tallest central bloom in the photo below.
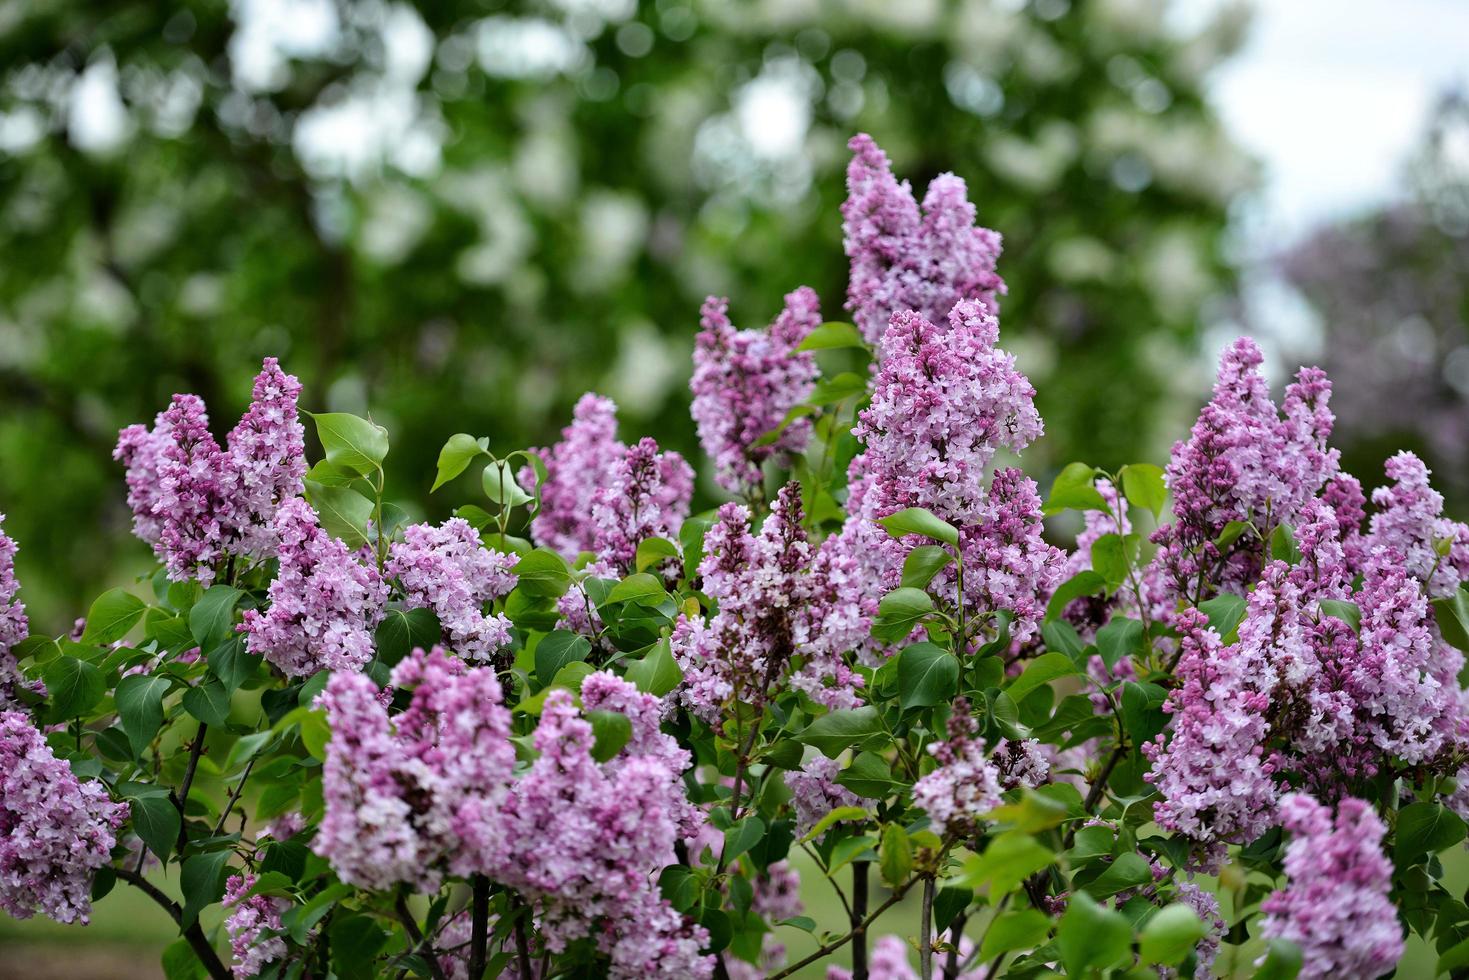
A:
[746,383]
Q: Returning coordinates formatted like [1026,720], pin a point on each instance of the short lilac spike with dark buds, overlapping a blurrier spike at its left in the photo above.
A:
[649,497]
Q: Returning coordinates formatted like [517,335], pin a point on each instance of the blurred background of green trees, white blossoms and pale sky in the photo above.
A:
[459,215]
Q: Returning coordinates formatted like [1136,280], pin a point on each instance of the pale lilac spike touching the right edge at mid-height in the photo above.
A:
[1410,522]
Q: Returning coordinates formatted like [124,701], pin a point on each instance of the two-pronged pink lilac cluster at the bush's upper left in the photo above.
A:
[199,505]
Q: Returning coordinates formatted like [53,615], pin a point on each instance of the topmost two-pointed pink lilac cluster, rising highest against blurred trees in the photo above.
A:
[910,261]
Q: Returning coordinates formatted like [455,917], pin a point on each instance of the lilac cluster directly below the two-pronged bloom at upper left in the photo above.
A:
[325,602]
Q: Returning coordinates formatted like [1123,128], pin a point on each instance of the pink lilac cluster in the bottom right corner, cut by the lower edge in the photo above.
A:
[1336,903]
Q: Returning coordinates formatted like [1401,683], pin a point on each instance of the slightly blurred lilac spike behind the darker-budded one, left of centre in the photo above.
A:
[584,462]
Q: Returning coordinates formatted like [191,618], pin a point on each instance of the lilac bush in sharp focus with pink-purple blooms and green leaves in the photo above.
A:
[591,727]
